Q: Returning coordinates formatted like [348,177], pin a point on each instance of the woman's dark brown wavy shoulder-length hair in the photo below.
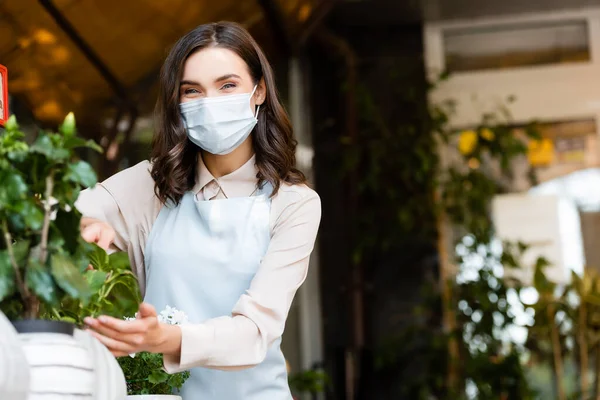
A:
[174,157]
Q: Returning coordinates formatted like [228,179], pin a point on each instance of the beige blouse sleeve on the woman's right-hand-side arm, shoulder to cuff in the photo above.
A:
[241,340]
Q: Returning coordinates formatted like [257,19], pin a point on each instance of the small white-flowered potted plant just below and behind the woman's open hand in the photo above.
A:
[144,373]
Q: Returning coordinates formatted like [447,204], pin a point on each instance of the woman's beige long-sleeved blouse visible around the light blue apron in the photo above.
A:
[127,202]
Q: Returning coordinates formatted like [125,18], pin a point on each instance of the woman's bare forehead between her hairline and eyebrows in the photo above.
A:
[211,63]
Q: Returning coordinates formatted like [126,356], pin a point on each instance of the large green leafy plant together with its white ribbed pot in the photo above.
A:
[43,262]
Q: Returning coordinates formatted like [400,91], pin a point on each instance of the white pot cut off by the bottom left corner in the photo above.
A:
[14,369]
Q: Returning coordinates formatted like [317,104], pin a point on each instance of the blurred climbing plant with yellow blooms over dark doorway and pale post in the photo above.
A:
[454,175]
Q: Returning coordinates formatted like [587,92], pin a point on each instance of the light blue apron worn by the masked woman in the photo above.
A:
[200,258]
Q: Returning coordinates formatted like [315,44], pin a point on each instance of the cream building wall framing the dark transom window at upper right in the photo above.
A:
[552,92]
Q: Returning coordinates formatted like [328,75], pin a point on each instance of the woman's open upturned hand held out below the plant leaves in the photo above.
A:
[144,333]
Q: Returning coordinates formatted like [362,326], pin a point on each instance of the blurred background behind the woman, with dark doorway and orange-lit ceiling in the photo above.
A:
[454,144]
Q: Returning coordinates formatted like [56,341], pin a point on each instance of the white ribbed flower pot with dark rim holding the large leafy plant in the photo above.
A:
[66,364]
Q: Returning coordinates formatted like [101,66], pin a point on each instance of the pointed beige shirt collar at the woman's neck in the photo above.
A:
[240,183]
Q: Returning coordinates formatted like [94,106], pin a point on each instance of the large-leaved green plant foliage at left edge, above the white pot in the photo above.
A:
[42,256]
